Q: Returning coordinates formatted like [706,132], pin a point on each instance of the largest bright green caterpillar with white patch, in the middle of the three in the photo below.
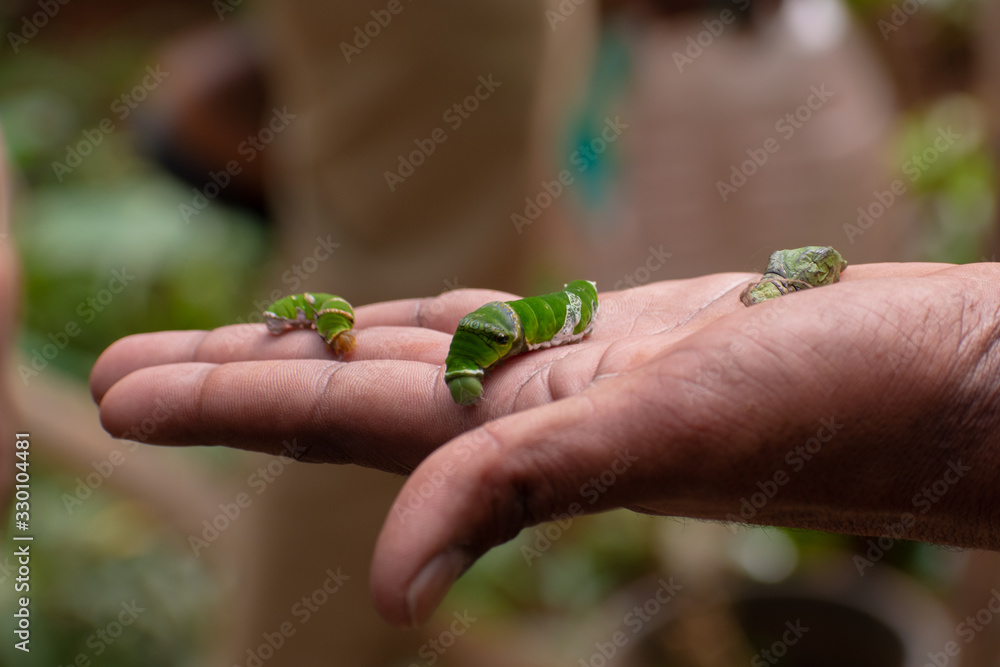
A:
[502,329]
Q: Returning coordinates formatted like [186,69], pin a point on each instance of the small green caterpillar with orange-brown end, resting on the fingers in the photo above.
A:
[332,317]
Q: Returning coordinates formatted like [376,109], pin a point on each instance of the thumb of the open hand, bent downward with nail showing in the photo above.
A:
[482,488]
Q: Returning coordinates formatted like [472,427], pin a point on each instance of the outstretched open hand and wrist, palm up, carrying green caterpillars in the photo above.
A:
[705,397]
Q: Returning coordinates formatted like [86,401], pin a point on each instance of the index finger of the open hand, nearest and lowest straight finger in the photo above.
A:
[312,410]
